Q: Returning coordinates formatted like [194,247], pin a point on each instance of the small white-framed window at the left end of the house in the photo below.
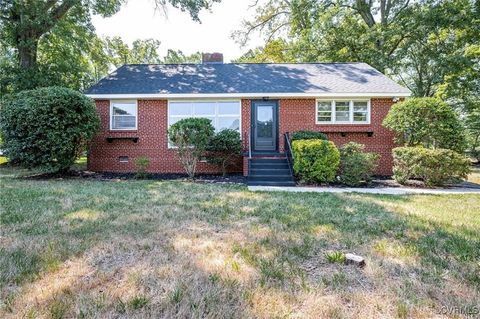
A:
[123,115]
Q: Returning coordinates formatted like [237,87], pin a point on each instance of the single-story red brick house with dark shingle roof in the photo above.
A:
[138,102]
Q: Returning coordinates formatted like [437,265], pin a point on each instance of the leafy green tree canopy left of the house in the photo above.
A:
[52,42]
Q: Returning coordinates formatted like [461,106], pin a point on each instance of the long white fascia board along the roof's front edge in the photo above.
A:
[244,95]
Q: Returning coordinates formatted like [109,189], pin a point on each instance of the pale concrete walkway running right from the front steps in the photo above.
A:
[379,190]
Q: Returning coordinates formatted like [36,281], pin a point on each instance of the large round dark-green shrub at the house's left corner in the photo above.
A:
[47,128]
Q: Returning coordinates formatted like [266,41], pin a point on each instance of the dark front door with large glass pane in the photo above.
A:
[265,125]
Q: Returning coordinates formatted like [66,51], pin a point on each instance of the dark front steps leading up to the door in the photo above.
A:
[271,171]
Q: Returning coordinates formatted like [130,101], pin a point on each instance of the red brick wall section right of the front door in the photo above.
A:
[299,114]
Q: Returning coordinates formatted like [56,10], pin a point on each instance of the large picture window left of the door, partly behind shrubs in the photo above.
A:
[222,114]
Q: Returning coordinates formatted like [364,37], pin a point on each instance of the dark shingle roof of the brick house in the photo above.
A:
[315,78]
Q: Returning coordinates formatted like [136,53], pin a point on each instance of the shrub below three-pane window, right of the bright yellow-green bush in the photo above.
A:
[356,165]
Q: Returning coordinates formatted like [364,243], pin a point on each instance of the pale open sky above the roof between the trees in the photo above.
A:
[176,30]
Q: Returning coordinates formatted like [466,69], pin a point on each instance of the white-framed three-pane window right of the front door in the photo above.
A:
[343,112]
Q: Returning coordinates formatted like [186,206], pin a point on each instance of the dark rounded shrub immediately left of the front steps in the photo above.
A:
[224,148]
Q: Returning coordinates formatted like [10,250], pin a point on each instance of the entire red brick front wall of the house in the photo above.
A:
[294,115]
